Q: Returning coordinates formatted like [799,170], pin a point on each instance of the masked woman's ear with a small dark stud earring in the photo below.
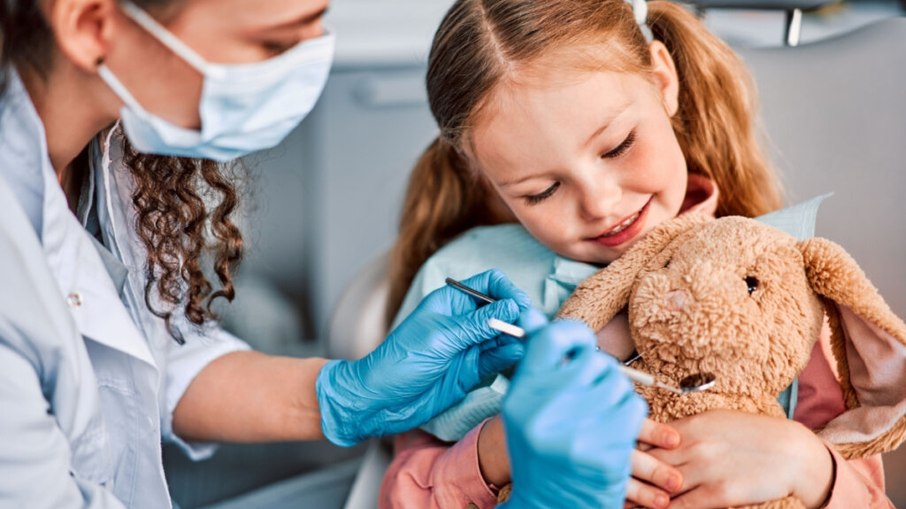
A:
[83,29]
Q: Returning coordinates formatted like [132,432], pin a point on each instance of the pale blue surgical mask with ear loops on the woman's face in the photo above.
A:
[243,107]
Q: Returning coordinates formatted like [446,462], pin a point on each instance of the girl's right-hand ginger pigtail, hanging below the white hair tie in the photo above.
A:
[715,123]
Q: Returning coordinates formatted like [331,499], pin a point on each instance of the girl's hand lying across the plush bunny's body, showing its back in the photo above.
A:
[730,458]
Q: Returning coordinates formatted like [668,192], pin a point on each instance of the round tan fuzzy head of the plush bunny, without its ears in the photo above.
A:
[728,297]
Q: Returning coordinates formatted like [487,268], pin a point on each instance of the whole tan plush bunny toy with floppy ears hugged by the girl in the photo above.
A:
[746,302]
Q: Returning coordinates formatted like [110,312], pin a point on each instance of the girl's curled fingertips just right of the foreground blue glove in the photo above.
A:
[652,479]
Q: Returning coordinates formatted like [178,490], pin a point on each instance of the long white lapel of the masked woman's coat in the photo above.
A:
[74,262]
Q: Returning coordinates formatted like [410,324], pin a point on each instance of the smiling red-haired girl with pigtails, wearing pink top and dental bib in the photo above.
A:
[590,123]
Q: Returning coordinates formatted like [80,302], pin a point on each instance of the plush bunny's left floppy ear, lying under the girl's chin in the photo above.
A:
[603,294]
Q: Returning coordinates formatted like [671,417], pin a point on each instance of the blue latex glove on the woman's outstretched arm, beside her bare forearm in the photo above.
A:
[427,364]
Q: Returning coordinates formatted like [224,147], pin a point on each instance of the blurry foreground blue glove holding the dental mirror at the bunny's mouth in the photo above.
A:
[571,420]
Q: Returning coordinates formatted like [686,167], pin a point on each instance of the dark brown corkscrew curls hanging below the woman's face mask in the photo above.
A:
[183,215]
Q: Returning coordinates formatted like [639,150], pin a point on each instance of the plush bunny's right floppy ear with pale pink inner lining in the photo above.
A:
[869,343]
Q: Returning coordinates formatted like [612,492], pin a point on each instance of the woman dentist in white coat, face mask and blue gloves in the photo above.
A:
[116,120]
